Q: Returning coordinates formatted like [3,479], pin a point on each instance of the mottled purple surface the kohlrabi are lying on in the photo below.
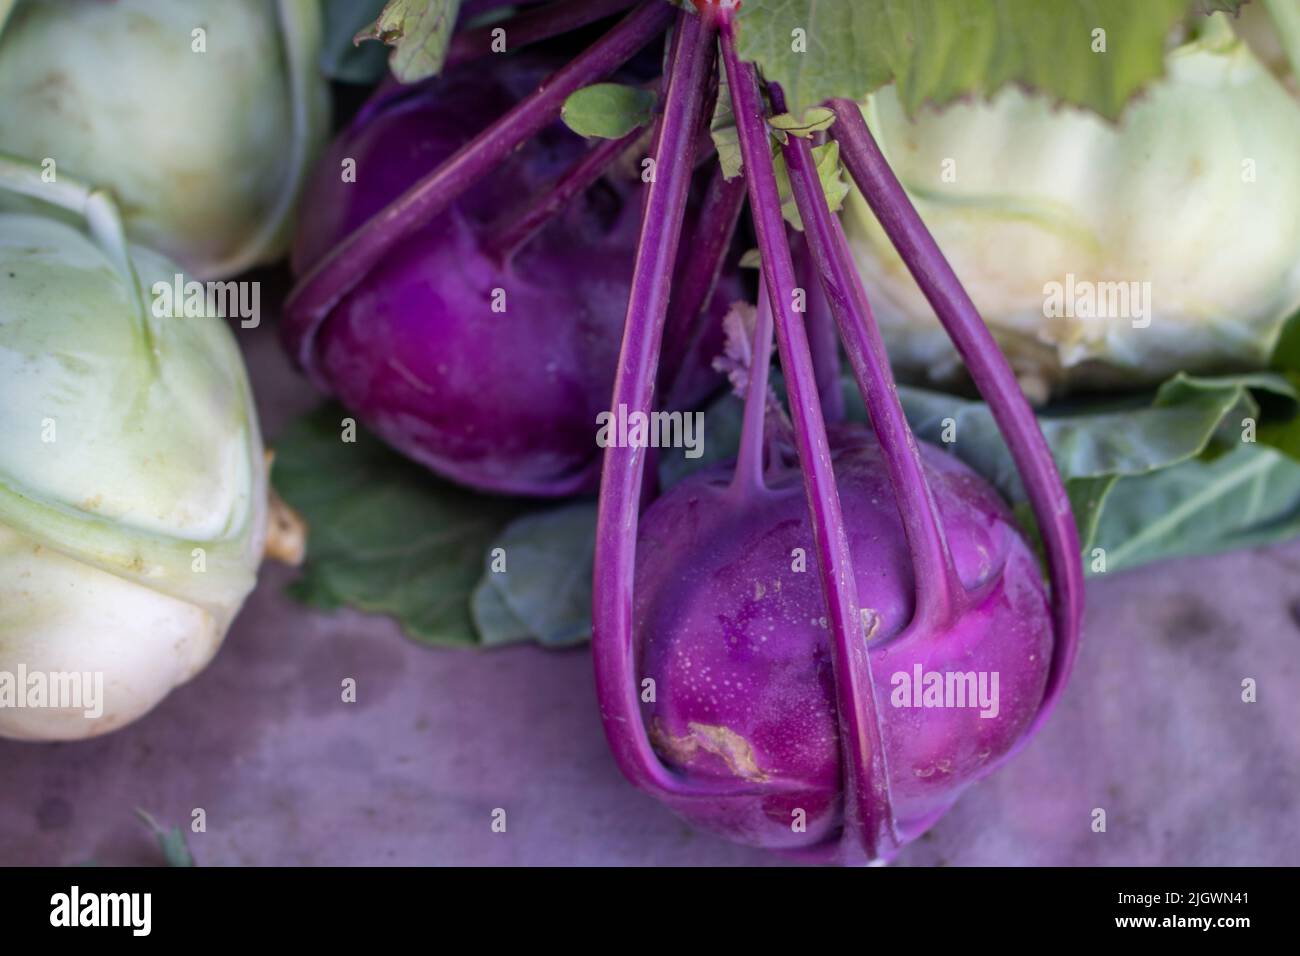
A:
[1152,729]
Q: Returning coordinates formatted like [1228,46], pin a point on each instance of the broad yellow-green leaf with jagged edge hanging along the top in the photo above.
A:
[1095,54]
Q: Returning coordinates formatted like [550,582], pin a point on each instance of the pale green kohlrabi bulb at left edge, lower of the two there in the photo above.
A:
[133,485]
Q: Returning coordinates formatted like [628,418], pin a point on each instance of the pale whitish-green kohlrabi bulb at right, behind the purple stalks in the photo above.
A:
[1038,209]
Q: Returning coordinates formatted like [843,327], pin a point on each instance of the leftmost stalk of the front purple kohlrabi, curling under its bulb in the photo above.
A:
[613,648]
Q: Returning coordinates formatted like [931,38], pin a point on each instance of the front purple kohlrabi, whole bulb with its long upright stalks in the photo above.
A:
[1002,620]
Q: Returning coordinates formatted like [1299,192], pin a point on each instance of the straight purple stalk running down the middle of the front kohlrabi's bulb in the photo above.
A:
[868,806]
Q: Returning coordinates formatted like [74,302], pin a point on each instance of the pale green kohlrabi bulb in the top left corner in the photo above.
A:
[203,116]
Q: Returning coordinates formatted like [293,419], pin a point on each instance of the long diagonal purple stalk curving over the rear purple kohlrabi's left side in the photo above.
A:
[352,261]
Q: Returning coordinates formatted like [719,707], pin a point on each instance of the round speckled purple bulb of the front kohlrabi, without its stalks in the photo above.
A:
[707,634]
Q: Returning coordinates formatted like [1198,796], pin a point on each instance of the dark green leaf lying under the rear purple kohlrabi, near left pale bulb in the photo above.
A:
[385,535]
